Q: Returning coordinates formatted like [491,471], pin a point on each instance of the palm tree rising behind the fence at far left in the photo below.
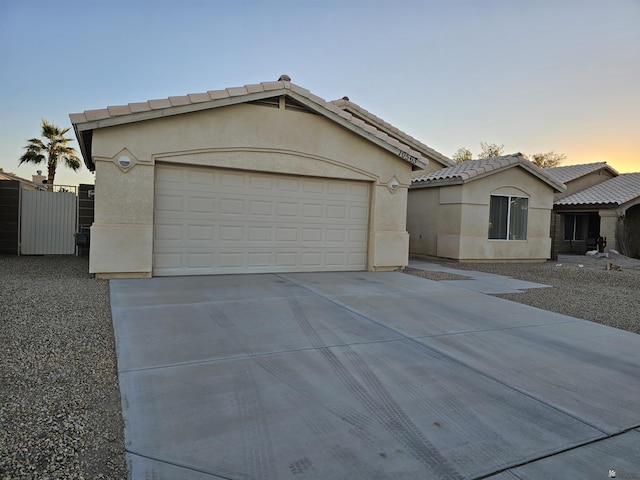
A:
[53,150]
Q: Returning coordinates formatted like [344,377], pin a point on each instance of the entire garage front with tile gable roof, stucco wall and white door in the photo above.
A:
[260,178]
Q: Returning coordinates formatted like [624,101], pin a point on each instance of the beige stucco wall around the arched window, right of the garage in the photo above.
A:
[452,221]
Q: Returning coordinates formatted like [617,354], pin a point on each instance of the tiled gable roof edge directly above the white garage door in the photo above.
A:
[85,122]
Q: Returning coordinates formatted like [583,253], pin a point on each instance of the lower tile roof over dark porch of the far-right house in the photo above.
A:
[615,191]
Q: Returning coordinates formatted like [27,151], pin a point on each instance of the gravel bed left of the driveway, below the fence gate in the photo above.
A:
[59,397]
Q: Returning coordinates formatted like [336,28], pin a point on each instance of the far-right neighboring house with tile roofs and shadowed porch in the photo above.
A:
[598,202]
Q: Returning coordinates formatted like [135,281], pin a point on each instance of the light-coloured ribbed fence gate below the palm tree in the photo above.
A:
[48,223]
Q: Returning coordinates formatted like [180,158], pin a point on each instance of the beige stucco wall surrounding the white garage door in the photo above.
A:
[247,137]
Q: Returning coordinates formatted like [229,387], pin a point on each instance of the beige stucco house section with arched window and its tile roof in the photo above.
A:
[495,209]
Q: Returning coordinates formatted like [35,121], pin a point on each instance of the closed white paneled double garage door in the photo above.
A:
[211,221]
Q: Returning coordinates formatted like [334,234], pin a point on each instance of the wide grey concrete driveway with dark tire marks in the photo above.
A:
[367,376]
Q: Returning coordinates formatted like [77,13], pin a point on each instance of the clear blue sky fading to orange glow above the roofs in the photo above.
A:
[534,75]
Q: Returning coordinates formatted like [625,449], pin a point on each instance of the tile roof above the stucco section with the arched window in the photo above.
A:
[474,169]
